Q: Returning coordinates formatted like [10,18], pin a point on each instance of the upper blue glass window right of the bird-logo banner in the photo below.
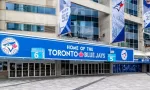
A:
[131,7]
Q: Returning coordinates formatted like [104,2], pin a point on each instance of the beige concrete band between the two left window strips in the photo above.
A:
[30,18]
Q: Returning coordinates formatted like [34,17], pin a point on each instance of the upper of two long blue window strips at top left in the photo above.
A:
[30,8]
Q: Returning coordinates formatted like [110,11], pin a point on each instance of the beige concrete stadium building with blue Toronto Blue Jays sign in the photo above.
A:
[31,44]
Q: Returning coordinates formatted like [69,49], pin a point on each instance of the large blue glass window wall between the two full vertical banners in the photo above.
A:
[84,22]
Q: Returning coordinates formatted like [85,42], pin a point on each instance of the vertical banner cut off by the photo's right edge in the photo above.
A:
[146,13]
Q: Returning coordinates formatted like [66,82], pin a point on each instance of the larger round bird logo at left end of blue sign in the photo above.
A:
[9,46]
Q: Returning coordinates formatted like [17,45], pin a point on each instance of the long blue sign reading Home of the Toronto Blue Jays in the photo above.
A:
[17,46]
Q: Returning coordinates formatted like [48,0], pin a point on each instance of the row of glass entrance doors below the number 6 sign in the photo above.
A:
[17,70]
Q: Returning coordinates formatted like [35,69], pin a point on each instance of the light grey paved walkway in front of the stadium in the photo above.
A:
[117,82]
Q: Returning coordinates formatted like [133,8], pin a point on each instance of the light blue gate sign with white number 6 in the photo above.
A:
[38,53]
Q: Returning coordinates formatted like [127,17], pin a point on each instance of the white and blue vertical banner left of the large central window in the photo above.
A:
[64,19]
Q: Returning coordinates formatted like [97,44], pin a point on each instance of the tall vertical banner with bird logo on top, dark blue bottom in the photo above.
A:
[118,30]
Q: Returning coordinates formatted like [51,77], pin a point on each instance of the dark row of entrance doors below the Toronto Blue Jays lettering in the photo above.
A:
[84,68]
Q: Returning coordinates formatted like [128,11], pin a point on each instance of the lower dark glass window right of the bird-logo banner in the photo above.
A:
[131,34]
